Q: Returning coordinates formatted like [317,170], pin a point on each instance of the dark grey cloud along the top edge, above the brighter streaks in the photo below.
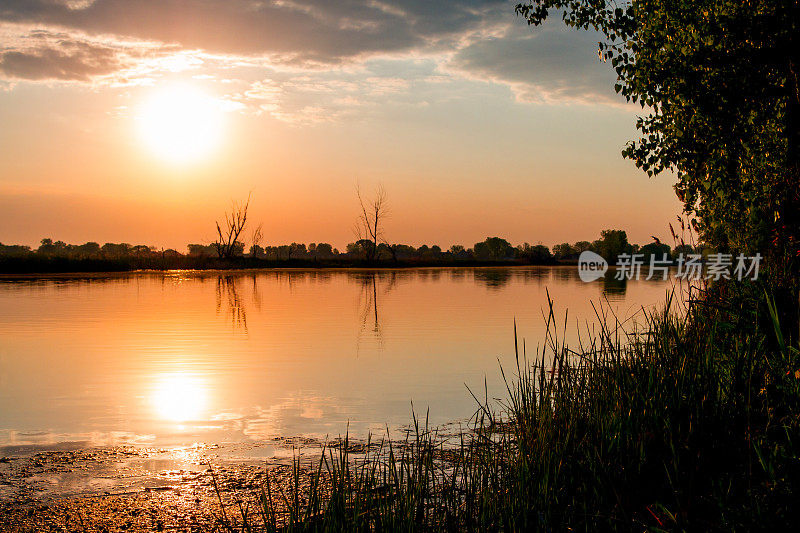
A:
[307,30]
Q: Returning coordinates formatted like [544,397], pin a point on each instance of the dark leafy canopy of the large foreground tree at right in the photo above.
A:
[718,79]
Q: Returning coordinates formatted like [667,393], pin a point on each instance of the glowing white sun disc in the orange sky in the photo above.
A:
[180,124]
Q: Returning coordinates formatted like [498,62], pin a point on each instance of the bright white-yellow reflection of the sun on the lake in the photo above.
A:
[179,397]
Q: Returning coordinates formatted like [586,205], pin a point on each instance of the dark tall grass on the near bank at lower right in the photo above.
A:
[688,423]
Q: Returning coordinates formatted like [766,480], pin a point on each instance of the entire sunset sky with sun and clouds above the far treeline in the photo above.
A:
[474,123]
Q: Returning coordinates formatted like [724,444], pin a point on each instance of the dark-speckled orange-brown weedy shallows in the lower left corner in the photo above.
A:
[140,489]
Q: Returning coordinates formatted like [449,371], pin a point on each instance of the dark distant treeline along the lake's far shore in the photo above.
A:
[58,256]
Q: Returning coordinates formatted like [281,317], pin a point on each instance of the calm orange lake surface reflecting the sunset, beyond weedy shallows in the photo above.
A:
[180,358]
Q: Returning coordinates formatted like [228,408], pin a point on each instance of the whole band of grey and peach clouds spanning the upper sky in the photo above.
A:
[299,60]
